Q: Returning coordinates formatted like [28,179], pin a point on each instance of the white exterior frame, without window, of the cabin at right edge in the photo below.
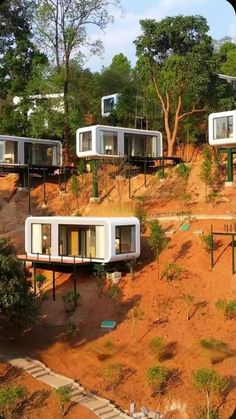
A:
[221,141]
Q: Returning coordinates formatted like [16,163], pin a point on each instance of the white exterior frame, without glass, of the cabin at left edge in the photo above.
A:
[22,140]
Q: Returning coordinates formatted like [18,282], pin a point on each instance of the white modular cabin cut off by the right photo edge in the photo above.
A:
[222,129]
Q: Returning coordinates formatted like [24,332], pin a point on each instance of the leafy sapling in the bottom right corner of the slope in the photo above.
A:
[211,383]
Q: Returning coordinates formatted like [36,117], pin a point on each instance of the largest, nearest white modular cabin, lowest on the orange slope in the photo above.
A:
[95,239]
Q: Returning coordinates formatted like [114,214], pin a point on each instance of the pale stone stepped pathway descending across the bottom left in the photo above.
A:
[103,408]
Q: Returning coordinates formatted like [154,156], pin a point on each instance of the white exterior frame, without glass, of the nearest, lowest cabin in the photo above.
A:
[109,234]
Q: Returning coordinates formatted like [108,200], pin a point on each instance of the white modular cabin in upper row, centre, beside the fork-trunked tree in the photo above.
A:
[106,141]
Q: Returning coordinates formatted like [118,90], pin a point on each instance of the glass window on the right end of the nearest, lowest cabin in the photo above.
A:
[125,239]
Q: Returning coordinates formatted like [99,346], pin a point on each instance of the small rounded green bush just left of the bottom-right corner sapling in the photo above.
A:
[157,378]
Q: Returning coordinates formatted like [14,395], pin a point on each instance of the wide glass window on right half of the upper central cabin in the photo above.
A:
[140,145]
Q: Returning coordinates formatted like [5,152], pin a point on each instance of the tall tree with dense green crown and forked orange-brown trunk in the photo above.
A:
[178,55]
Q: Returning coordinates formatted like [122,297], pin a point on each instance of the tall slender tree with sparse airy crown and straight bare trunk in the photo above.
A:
[62,29]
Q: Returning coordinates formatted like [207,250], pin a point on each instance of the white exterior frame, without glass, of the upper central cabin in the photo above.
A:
[96,145]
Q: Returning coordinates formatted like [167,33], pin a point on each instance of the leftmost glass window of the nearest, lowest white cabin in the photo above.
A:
[41,239]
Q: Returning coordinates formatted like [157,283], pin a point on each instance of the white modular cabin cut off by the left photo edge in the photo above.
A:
[23,150]
